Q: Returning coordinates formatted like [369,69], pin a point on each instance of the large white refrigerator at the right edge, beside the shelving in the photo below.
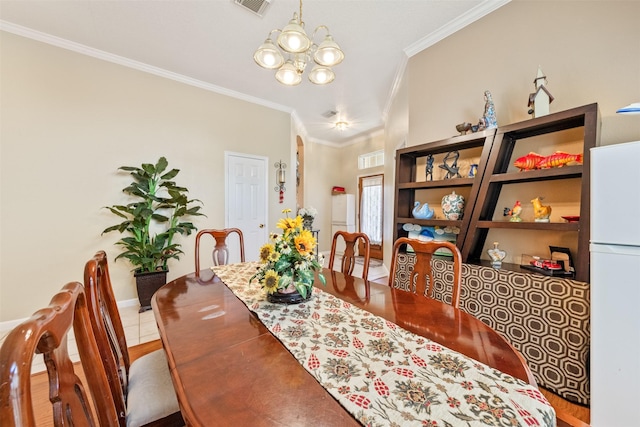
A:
[615,285]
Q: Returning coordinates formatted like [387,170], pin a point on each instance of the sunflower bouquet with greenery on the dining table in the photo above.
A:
[288,261]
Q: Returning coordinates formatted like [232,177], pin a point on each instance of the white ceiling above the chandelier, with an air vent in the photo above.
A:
[210,44]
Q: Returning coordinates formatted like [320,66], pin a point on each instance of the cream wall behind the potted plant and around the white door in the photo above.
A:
[68,121]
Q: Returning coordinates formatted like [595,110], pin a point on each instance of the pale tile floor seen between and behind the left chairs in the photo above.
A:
[138,328]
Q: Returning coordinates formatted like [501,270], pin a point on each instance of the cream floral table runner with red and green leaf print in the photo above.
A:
[384,375]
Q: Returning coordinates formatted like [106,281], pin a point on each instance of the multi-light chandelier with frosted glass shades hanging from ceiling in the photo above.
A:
[300,49]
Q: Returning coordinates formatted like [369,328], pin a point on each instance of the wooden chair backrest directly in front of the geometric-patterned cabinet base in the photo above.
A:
[422,274]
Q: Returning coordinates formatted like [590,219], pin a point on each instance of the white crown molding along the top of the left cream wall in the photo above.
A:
[136,65]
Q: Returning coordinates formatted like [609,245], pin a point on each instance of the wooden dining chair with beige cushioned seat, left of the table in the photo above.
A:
[142,391]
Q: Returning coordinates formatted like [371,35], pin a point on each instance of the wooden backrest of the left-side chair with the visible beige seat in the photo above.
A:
[107,328]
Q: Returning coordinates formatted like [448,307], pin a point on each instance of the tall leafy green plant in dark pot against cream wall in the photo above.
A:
[150,224]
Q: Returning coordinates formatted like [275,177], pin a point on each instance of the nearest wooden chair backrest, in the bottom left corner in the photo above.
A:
[46,332]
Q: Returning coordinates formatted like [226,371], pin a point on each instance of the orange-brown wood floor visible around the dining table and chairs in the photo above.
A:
[568,413]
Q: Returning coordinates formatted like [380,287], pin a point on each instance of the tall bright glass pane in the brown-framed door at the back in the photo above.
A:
[371,208]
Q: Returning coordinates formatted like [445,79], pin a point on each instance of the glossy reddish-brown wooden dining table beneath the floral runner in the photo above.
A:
[229,369]
